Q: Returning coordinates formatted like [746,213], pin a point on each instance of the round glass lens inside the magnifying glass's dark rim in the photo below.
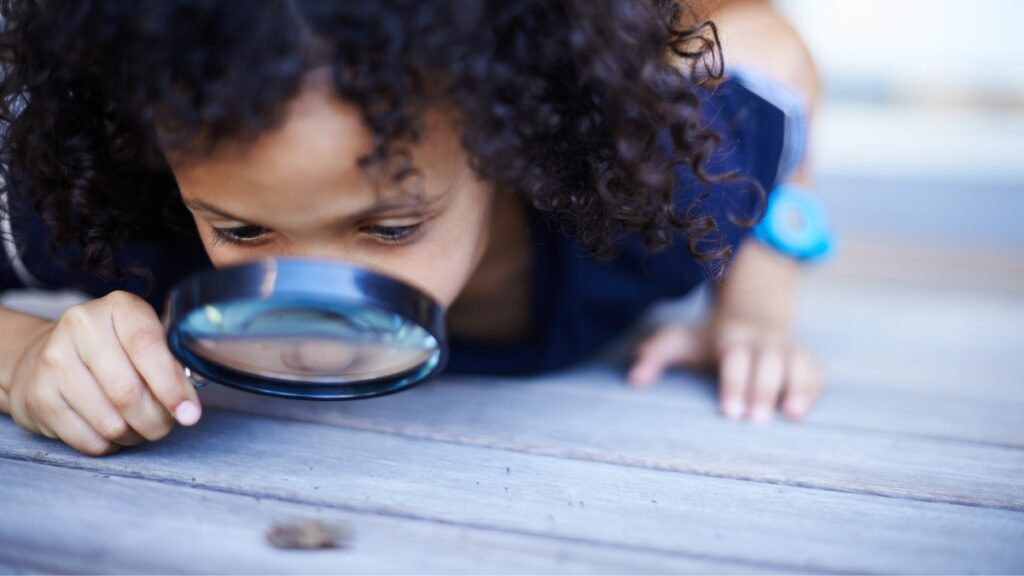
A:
[310,344]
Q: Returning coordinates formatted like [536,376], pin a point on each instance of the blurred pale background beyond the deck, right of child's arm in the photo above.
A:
[919,149]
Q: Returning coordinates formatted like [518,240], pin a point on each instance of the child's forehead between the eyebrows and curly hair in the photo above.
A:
[311,163]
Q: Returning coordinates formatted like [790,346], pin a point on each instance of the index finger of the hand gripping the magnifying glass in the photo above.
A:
[143,338]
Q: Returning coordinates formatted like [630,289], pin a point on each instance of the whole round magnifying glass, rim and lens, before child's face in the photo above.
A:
[307,330]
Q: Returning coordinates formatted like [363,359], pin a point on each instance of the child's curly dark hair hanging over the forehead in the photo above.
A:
[583,107]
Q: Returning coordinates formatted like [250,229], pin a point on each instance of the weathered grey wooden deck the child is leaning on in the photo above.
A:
[914,462]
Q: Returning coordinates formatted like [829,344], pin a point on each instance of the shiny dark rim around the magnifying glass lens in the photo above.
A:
[311,280]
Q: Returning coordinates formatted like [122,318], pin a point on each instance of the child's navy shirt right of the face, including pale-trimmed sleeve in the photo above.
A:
[580,304]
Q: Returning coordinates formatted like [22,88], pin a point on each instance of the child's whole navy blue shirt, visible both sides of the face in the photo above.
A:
[578,303]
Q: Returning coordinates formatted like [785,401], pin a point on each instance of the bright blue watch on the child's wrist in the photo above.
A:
[795,225]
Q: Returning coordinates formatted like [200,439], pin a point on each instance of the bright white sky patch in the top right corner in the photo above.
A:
[950,45]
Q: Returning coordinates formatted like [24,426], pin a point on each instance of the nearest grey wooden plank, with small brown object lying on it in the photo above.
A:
[61,520]
